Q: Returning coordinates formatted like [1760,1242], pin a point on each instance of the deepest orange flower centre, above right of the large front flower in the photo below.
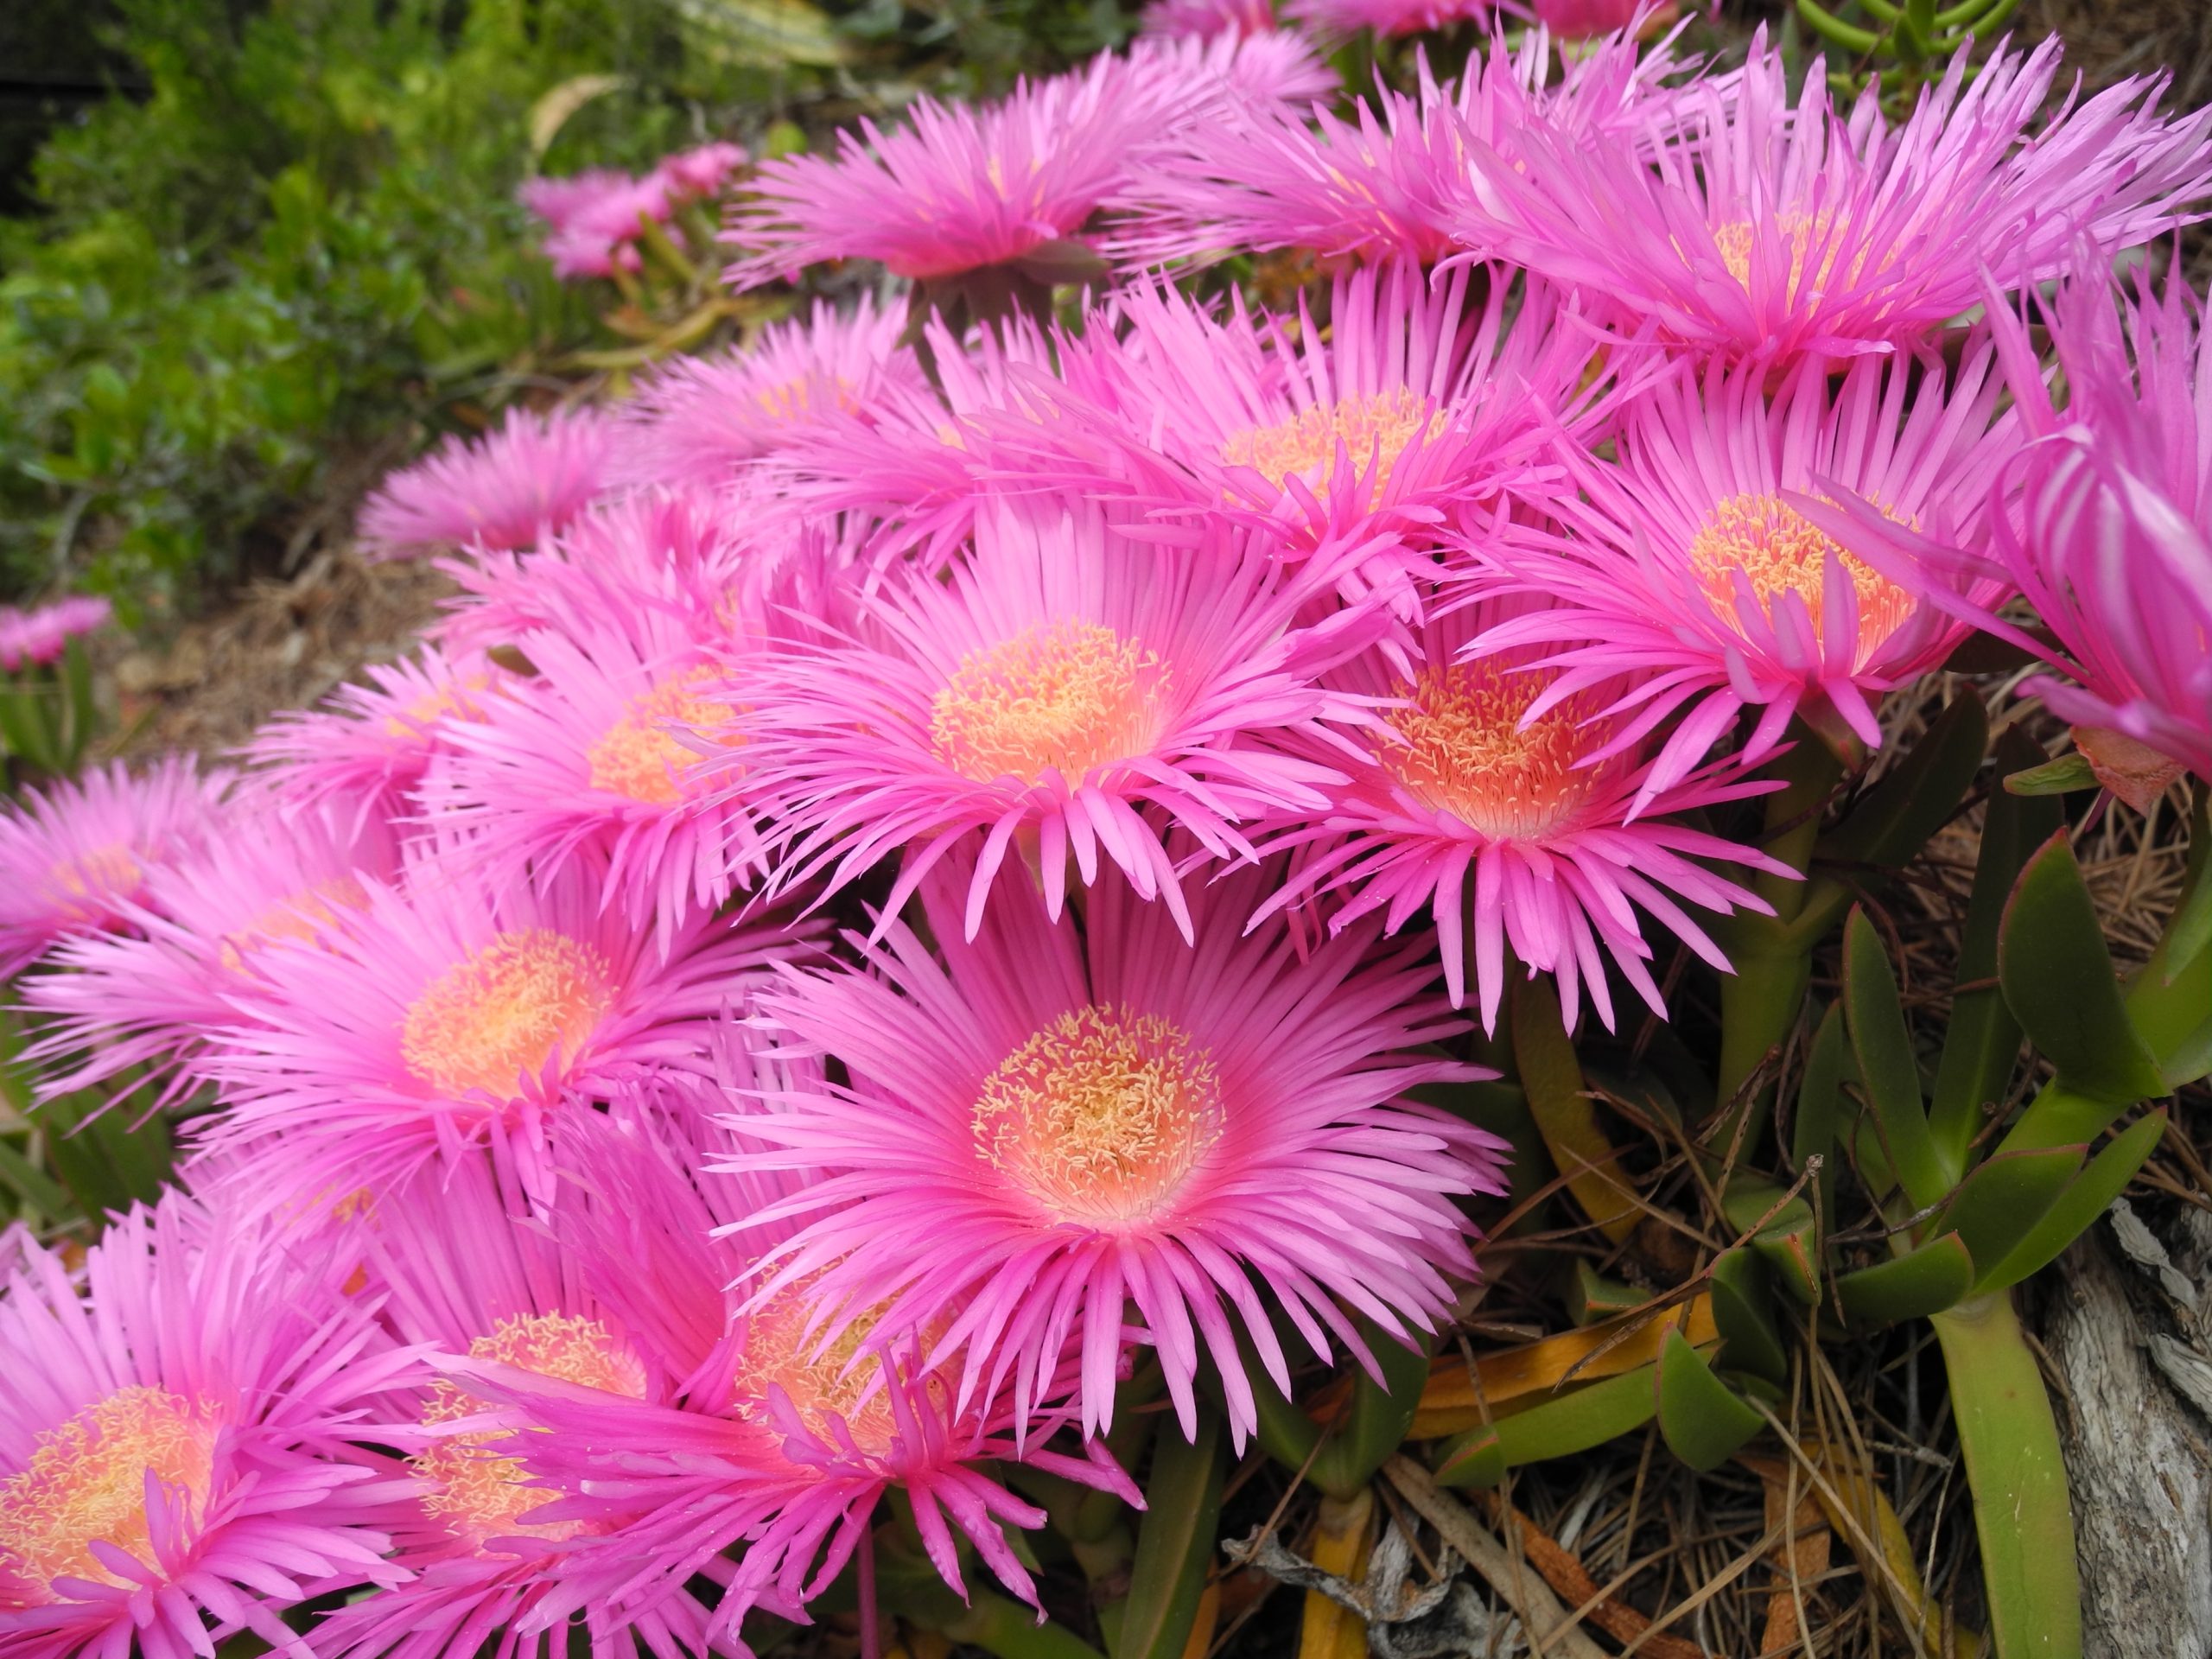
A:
[1465,751]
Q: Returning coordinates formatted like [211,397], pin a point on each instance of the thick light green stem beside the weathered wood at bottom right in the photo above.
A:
[2018,1479]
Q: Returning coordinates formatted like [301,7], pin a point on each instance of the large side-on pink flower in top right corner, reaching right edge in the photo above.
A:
[1780,231]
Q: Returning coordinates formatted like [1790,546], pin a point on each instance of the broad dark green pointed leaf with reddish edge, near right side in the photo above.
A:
[2060,985]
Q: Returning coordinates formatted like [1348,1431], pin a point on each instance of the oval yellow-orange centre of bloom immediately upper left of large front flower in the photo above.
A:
[505,1010]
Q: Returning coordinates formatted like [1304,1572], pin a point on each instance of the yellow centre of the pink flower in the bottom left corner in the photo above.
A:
[87,1483]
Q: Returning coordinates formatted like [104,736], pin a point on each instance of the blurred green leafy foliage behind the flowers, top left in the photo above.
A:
[258,286]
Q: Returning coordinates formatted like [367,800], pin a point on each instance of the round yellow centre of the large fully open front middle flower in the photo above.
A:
[1103,1116]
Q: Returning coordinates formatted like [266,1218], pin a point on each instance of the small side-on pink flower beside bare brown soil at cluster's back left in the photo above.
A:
[512,488]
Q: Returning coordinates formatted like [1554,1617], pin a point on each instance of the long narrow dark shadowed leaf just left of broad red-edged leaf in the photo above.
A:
[1983,1039]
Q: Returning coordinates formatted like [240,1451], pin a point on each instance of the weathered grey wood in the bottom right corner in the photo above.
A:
[2138,1454]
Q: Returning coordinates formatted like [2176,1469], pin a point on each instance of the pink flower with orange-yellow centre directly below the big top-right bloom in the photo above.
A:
[1691,585]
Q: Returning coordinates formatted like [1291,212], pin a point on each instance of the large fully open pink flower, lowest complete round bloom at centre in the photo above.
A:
[1052,1123]
